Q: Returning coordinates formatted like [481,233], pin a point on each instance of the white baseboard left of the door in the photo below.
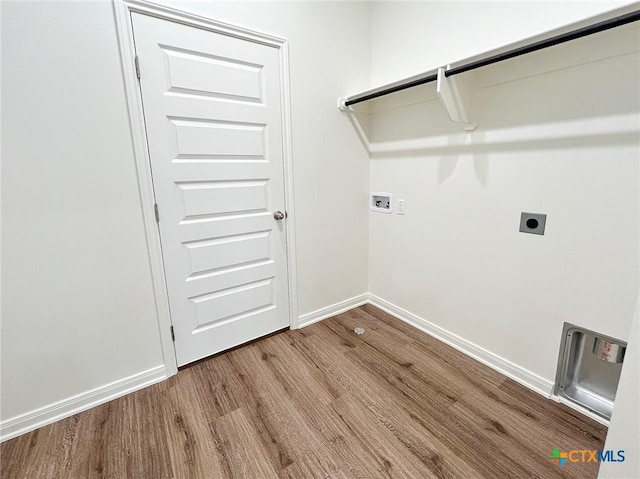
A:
[54,412]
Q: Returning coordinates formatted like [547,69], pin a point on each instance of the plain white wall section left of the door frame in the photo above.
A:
[78,310]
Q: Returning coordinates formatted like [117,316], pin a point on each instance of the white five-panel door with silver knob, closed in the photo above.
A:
[213,118]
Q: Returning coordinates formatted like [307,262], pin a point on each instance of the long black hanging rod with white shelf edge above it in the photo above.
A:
[549,42]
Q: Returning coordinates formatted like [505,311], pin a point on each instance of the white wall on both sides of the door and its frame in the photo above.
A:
[78,309]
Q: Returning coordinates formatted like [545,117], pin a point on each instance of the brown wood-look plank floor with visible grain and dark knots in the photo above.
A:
[321,402]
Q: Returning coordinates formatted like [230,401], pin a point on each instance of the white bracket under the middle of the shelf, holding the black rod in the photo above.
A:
[459,96]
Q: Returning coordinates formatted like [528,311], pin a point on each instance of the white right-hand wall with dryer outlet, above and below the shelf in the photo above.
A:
[556,135]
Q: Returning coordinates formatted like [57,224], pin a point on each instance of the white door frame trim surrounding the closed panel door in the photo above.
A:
[123,10]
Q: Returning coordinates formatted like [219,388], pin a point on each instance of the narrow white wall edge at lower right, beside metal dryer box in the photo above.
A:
[624,430]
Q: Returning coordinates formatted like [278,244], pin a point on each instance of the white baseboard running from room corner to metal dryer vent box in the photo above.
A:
[509,369]
